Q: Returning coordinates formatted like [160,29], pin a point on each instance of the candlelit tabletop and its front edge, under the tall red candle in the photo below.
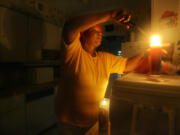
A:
[160,85]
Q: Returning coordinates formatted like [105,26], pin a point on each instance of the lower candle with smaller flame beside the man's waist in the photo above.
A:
[104,117]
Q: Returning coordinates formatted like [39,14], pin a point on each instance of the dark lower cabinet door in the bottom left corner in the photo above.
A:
[12,116]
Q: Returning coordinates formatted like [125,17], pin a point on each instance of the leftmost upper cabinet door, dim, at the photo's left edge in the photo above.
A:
[13,35]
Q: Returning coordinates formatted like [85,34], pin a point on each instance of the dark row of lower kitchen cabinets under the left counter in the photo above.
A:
[29,114]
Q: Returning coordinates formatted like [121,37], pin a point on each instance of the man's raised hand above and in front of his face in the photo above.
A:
[121,16]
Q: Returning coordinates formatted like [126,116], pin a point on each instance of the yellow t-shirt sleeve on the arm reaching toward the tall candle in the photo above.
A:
[117,63]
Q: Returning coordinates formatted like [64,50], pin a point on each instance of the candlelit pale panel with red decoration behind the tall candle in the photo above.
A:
[164,19]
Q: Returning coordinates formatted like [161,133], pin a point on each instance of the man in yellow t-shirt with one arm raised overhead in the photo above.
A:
[85,72]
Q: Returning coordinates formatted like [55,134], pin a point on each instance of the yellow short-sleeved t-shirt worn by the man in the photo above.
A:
[83,83]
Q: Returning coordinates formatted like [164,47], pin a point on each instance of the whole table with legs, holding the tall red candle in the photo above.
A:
[146,104]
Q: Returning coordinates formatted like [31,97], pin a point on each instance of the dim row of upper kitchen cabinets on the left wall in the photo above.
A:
[22,37]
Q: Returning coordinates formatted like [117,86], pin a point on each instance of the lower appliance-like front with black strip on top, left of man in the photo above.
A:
[40,111]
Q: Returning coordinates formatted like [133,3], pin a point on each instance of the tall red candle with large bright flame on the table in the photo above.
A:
[155,55]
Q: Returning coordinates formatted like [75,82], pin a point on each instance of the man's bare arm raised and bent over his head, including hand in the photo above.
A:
[81,23]
